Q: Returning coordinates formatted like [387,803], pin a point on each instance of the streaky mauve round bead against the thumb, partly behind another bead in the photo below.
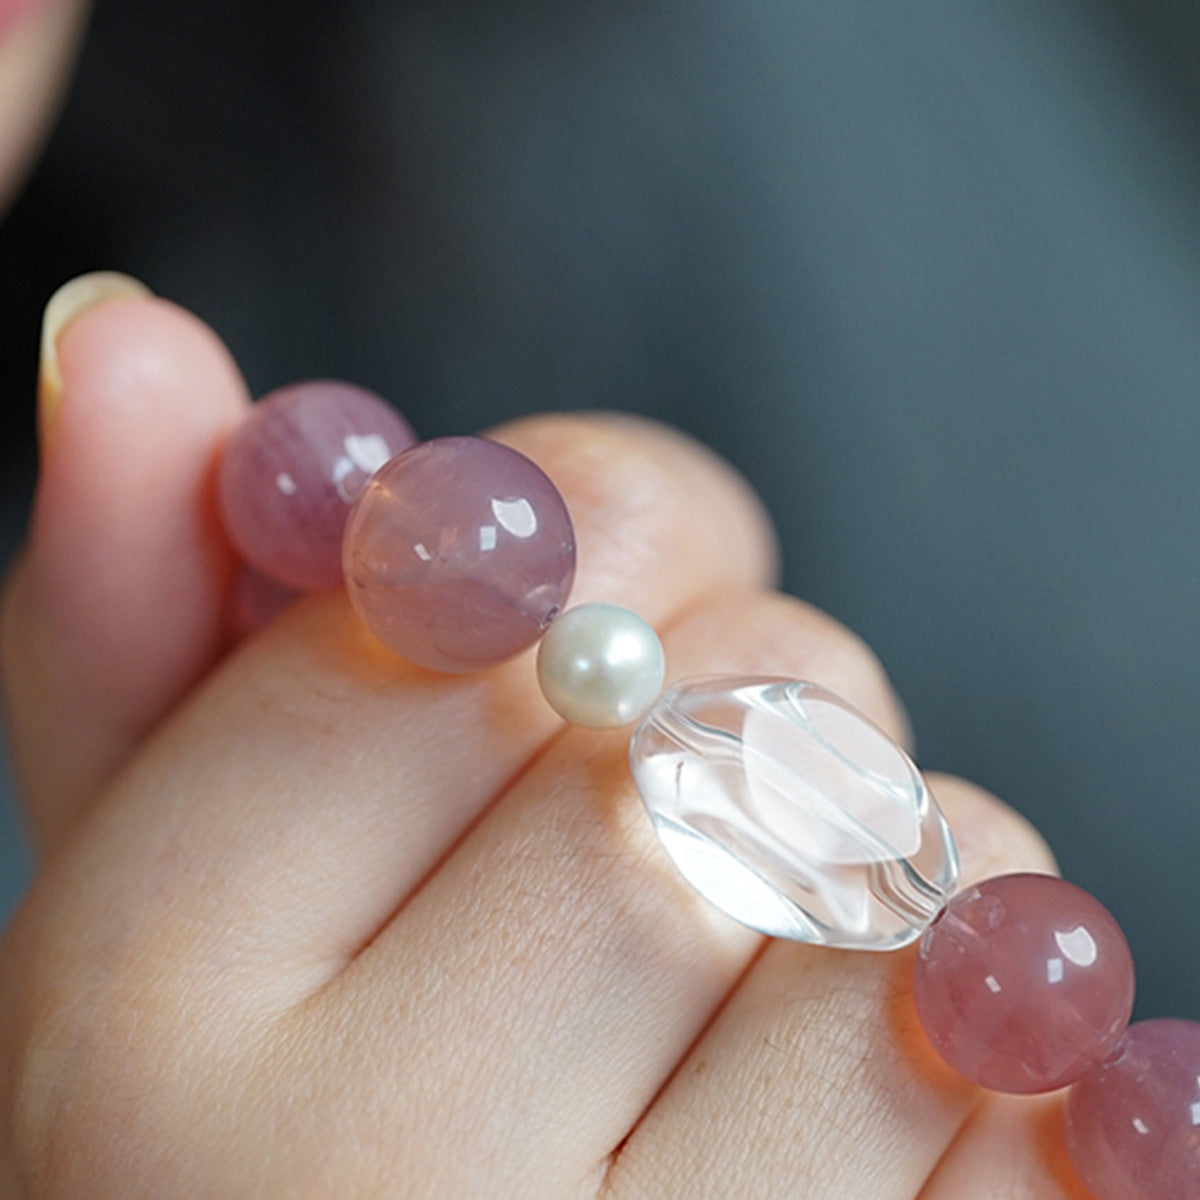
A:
[292,471]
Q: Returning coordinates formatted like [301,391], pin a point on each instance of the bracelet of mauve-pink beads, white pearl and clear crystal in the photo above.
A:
[779,802]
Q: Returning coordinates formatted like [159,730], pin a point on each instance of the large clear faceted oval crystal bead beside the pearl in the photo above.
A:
[793,813]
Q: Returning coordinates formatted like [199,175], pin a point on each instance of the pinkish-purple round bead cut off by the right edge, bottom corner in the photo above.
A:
[1133,1124]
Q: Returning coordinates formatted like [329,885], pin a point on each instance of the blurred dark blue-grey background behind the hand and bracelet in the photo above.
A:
[927,273]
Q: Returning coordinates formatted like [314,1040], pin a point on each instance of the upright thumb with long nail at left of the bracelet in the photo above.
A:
[117,605]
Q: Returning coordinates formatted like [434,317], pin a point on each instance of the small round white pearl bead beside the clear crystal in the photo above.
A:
[601,667]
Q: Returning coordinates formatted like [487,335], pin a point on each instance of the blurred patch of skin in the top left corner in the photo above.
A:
[39,40]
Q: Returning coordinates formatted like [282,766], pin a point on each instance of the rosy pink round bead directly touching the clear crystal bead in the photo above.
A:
[1024,982]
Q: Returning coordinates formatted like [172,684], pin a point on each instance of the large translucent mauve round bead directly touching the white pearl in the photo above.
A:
[459,554]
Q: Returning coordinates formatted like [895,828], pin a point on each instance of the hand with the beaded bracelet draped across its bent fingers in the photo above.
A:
[314,923]
